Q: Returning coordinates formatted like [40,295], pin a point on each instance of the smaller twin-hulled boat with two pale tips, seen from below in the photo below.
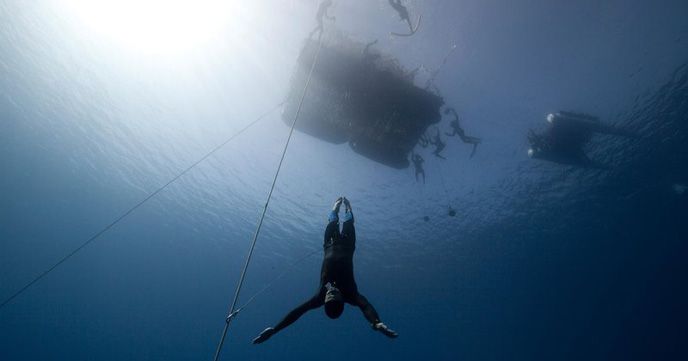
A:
[565,137]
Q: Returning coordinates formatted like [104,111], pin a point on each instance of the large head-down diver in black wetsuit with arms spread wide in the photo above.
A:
[337,285]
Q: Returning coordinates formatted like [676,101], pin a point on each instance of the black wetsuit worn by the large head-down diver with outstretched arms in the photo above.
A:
[338,269]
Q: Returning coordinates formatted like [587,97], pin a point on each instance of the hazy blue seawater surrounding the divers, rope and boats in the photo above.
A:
[103,103]
